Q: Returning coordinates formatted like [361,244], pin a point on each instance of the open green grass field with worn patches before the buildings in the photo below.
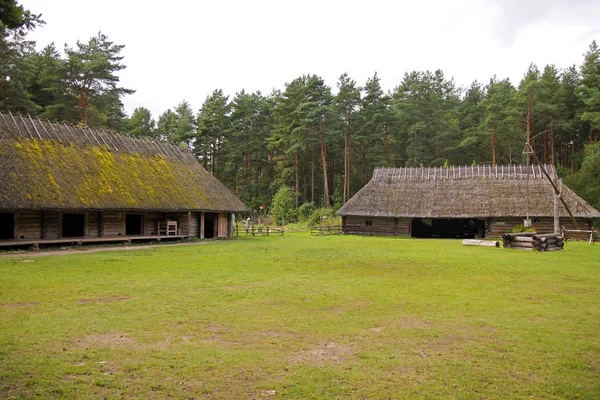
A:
[303,317]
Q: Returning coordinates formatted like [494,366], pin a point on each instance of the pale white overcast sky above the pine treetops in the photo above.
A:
[178,49]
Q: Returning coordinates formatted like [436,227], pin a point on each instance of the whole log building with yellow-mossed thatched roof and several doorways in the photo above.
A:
[61,183]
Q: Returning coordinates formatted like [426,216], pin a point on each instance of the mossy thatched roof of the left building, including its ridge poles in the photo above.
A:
[54,166]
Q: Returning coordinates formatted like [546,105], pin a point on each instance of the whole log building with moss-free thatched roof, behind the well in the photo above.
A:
[459,202]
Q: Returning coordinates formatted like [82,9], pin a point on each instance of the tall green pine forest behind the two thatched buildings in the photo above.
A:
[315,142]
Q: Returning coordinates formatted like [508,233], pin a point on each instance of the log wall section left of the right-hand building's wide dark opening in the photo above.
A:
[376,226]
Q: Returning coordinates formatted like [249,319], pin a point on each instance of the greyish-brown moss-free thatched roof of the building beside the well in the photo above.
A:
[462,192]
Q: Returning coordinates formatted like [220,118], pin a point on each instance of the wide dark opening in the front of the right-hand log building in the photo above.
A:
[447,228]
